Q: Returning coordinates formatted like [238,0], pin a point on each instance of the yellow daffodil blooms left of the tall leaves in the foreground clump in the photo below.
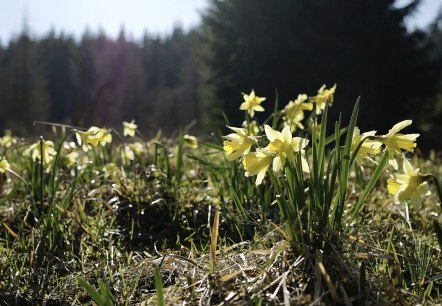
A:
[281,146]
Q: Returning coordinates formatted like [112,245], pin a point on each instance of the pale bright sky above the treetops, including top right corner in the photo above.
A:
[155,16]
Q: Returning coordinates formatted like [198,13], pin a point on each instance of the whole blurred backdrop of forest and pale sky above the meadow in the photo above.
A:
[175,63]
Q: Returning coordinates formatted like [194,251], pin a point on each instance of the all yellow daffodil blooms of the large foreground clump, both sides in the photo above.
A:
[273,150]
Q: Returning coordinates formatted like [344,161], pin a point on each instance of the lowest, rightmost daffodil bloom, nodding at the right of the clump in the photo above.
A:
[408,186]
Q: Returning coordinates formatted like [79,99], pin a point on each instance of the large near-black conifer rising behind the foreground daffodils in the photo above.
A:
[296,46]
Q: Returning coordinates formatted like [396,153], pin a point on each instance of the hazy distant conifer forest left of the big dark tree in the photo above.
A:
[100,81]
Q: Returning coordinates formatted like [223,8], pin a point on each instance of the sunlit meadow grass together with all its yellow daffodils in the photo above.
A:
[277,212]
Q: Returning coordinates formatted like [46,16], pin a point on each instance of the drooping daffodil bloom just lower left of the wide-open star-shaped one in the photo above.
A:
[257,163]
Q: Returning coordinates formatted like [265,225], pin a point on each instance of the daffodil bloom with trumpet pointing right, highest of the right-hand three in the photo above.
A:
[395,142]
